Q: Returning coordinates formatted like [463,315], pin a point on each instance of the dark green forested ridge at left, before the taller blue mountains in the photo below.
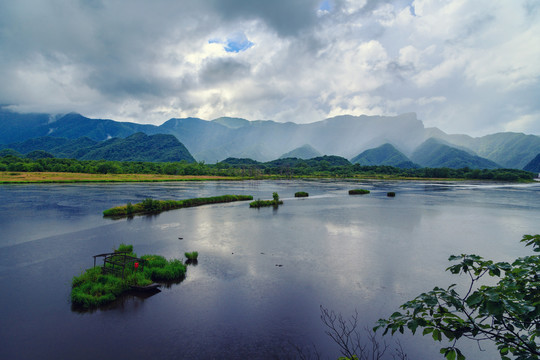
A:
[136,147]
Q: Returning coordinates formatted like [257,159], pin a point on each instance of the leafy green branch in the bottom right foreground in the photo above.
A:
[507,313]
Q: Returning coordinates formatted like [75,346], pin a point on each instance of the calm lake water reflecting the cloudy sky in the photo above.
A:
[262,273]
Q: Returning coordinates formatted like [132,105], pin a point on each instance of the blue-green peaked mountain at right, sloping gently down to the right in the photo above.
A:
[435,154]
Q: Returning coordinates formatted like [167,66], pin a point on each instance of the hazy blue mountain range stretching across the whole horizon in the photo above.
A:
[265,140]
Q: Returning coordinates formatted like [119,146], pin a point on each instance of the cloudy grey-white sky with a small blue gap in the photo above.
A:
[464,66]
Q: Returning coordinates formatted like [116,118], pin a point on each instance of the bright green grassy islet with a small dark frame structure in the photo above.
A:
[100,285]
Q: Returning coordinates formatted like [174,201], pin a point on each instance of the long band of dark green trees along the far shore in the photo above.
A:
[325,166]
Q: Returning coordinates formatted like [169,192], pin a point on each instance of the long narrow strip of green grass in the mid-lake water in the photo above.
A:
[149,206]
